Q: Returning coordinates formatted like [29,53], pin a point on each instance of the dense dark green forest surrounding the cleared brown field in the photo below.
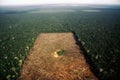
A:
[99,33]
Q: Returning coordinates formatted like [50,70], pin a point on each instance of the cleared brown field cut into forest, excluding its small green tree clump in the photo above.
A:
[42,63]
